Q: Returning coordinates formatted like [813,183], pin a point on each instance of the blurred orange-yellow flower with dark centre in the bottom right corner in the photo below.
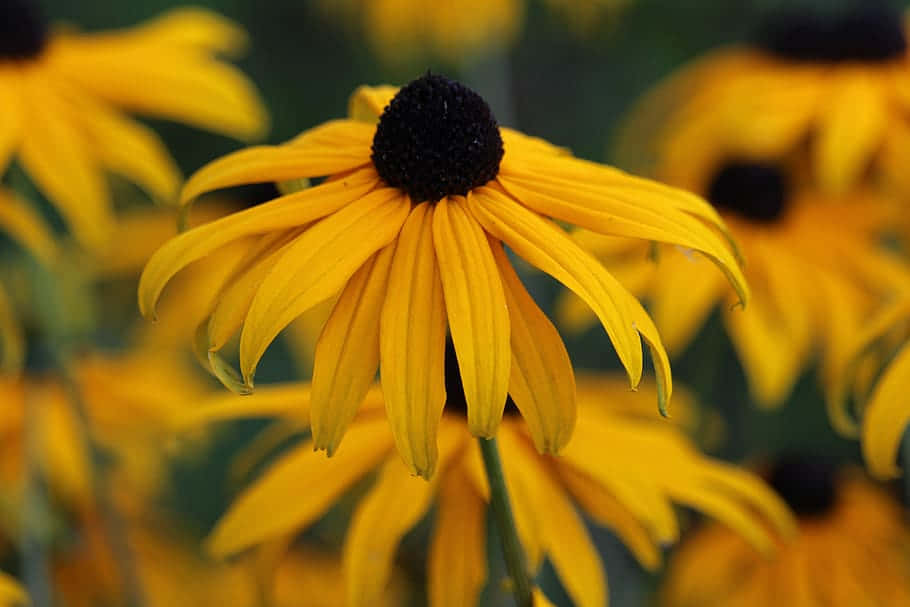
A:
[851,549]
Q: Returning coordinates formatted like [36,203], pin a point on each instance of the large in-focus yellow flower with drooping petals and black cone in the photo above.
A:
[409,228]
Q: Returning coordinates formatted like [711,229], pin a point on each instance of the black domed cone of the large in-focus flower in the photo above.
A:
[437,138]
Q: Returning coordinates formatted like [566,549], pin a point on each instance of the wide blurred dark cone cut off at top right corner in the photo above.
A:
[869,31]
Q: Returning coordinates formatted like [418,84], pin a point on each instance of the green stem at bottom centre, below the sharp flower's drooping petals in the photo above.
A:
[505,523]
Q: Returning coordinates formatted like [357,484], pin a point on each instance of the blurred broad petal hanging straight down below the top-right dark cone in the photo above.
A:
[851,128]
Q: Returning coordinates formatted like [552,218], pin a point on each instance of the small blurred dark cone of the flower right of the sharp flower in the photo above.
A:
[754,191]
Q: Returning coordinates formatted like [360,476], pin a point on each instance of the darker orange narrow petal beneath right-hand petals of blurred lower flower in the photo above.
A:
[608,512]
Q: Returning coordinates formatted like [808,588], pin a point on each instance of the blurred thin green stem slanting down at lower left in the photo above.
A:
[115,526]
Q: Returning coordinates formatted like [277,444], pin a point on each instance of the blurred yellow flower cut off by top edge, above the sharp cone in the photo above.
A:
[455,31]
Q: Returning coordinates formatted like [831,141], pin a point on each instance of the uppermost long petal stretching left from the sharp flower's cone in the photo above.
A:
[333,147]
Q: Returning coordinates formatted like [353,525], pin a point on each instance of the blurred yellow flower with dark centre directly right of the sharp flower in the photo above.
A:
[814,262]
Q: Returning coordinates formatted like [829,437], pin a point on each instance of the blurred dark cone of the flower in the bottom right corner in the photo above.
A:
[808,485]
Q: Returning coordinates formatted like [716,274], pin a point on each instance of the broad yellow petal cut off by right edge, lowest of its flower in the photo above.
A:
[886,417]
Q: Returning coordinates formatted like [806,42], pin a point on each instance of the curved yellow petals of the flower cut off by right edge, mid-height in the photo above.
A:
[882,409]
